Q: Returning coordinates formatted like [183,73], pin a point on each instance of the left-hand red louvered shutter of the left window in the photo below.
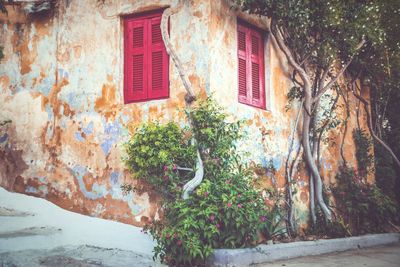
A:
[135,79]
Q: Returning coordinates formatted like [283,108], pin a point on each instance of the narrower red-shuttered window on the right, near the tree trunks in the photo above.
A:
[251,81]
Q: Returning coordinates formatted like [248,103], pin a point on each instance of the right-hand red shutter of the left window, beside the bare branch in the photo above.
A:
[158,61]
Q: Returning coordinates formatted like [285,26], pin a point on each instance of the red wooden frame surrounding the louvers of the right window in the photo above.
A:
[251,30]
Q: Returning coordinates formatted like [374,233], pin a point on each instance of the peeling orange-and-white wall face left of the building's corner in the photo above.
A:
[61,84]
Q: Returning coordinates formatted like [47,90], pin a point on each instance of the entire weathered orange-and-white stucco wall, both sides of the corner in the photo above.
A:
[61,83]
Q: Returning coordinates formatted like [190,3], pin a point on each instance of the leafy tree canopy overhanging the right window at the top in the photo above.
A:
[322,32]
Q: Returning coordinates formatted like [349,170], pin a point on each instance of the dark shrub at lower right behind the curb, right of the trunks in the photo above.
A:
[363,206]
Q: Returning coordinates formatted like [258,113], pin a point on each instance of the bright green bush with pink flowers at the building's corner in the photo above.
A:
[224,211]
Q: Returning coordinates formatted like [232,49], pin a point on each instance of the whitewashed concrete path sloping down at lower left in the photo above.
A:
[35,232]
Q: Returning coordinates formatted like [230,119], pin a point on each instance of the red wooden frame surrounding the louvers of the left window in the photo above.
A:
[129,97]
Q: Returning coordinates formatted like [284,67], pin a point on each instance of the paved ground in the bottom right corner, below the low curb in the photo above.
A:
[386,256]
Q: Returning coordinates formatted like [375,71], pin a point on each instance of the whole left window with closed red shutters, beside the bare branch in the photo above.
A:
[145,59]
